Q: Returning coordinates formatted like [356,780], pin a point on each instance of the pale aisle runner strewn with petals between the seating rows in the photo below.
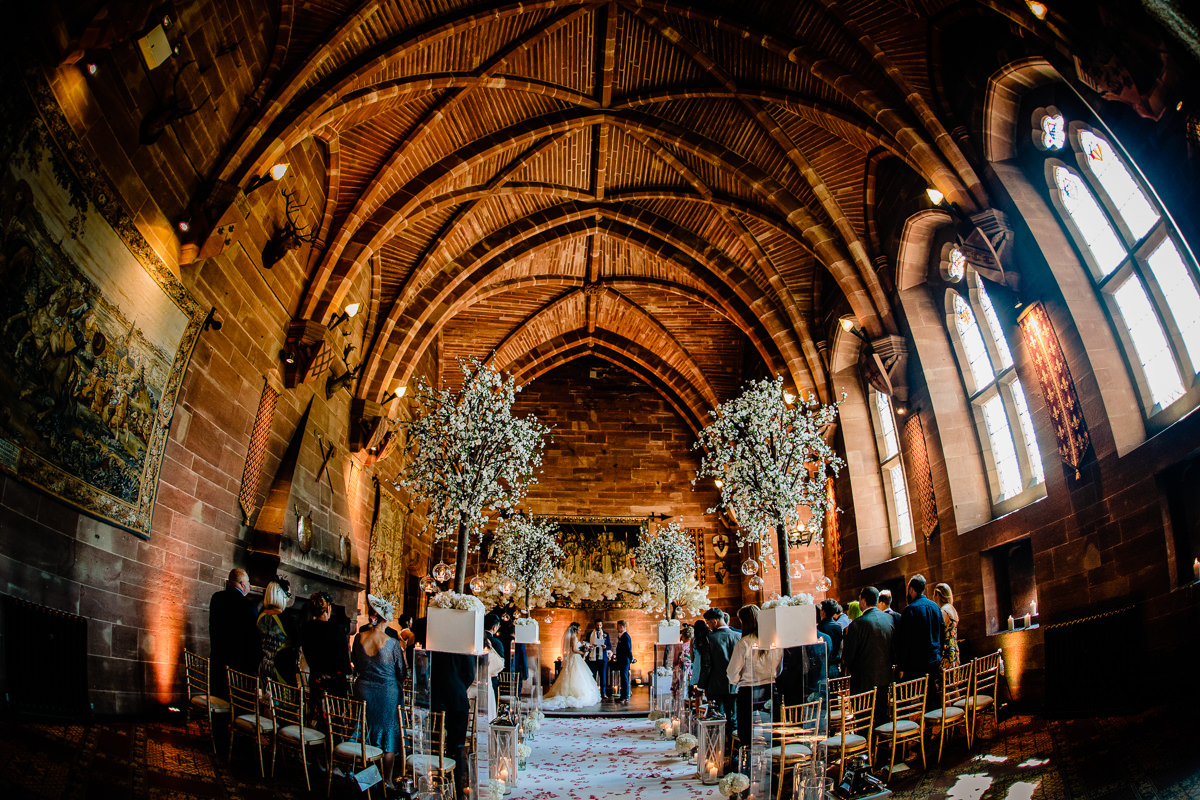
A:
[603,760]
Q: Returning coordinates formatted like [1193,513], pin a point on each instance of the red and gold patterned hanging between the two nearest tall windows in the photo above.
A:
[1058,388]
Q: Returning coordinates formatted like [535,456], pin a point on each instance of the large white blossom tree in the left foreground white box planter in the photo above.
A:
[470,456]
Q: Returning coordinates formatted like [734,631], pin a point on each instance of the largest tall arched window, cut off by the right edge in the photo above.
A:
[1136,257]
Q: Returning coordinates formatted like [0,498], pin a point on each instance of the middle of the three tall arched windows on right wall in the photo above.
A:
[998,399]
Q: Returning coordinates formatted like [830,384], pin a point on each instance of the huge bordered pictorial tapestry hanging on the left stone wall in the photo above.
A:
[95,332]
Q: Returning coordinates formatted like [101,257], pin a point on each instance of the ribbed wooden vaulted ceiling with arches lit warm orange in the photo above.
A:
[653,183]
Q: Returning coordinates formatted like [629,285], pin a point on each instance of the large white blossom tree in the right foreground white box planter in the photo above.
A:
[772,461]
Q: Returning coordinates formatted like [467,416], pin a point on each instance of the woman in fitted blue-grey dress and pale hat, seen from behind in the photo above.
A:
[380,663]
